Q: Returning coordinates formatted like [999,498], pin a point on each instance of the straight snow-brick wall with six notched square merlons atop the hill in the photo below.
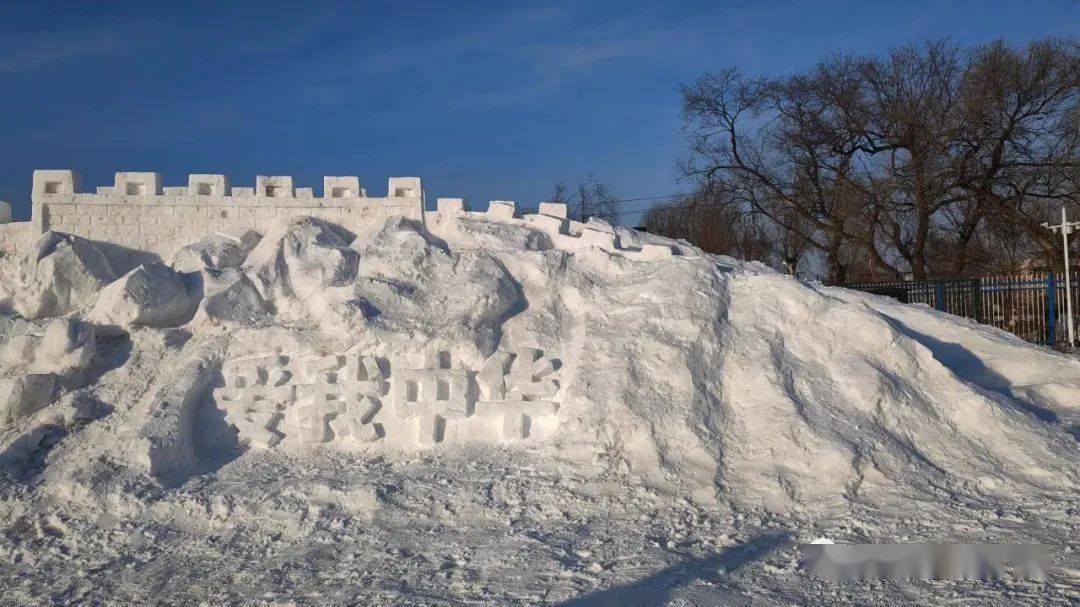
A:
[140,213]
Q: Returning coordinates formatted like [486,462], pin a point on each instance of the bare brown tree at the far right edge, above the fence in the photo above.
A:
[1022,133]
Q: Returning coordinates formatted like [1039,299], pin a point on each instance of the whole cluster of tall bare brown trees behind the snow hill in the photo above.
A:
[911,164]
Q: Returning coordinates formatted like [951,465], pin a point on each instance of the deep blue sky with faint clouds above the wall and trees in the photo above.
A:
[488,101]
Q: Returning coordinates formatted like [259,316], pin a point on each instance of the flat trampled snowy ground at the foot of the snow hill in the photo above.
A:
[487,528]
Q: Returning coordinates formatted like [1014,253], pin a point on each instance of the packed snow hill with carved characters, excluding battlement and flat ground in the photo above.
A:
[707,379]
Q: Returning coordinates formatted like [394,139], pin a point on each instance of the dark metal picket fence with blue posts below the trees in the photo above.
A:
[1030,306]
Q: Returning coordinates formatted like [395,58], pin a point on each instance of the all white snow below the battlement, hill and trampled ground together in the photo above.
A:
[606,429]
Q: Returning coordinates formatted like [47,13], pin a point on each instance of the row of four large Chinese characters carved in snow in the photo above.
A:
[340,399]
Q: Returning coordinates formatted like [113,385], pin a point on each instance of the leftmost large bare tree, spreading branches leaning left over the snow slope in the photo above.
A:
[799,166]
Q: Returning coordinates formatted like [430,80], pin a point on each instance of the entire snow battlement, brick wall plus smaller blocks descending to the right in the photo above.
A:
[139,214]
